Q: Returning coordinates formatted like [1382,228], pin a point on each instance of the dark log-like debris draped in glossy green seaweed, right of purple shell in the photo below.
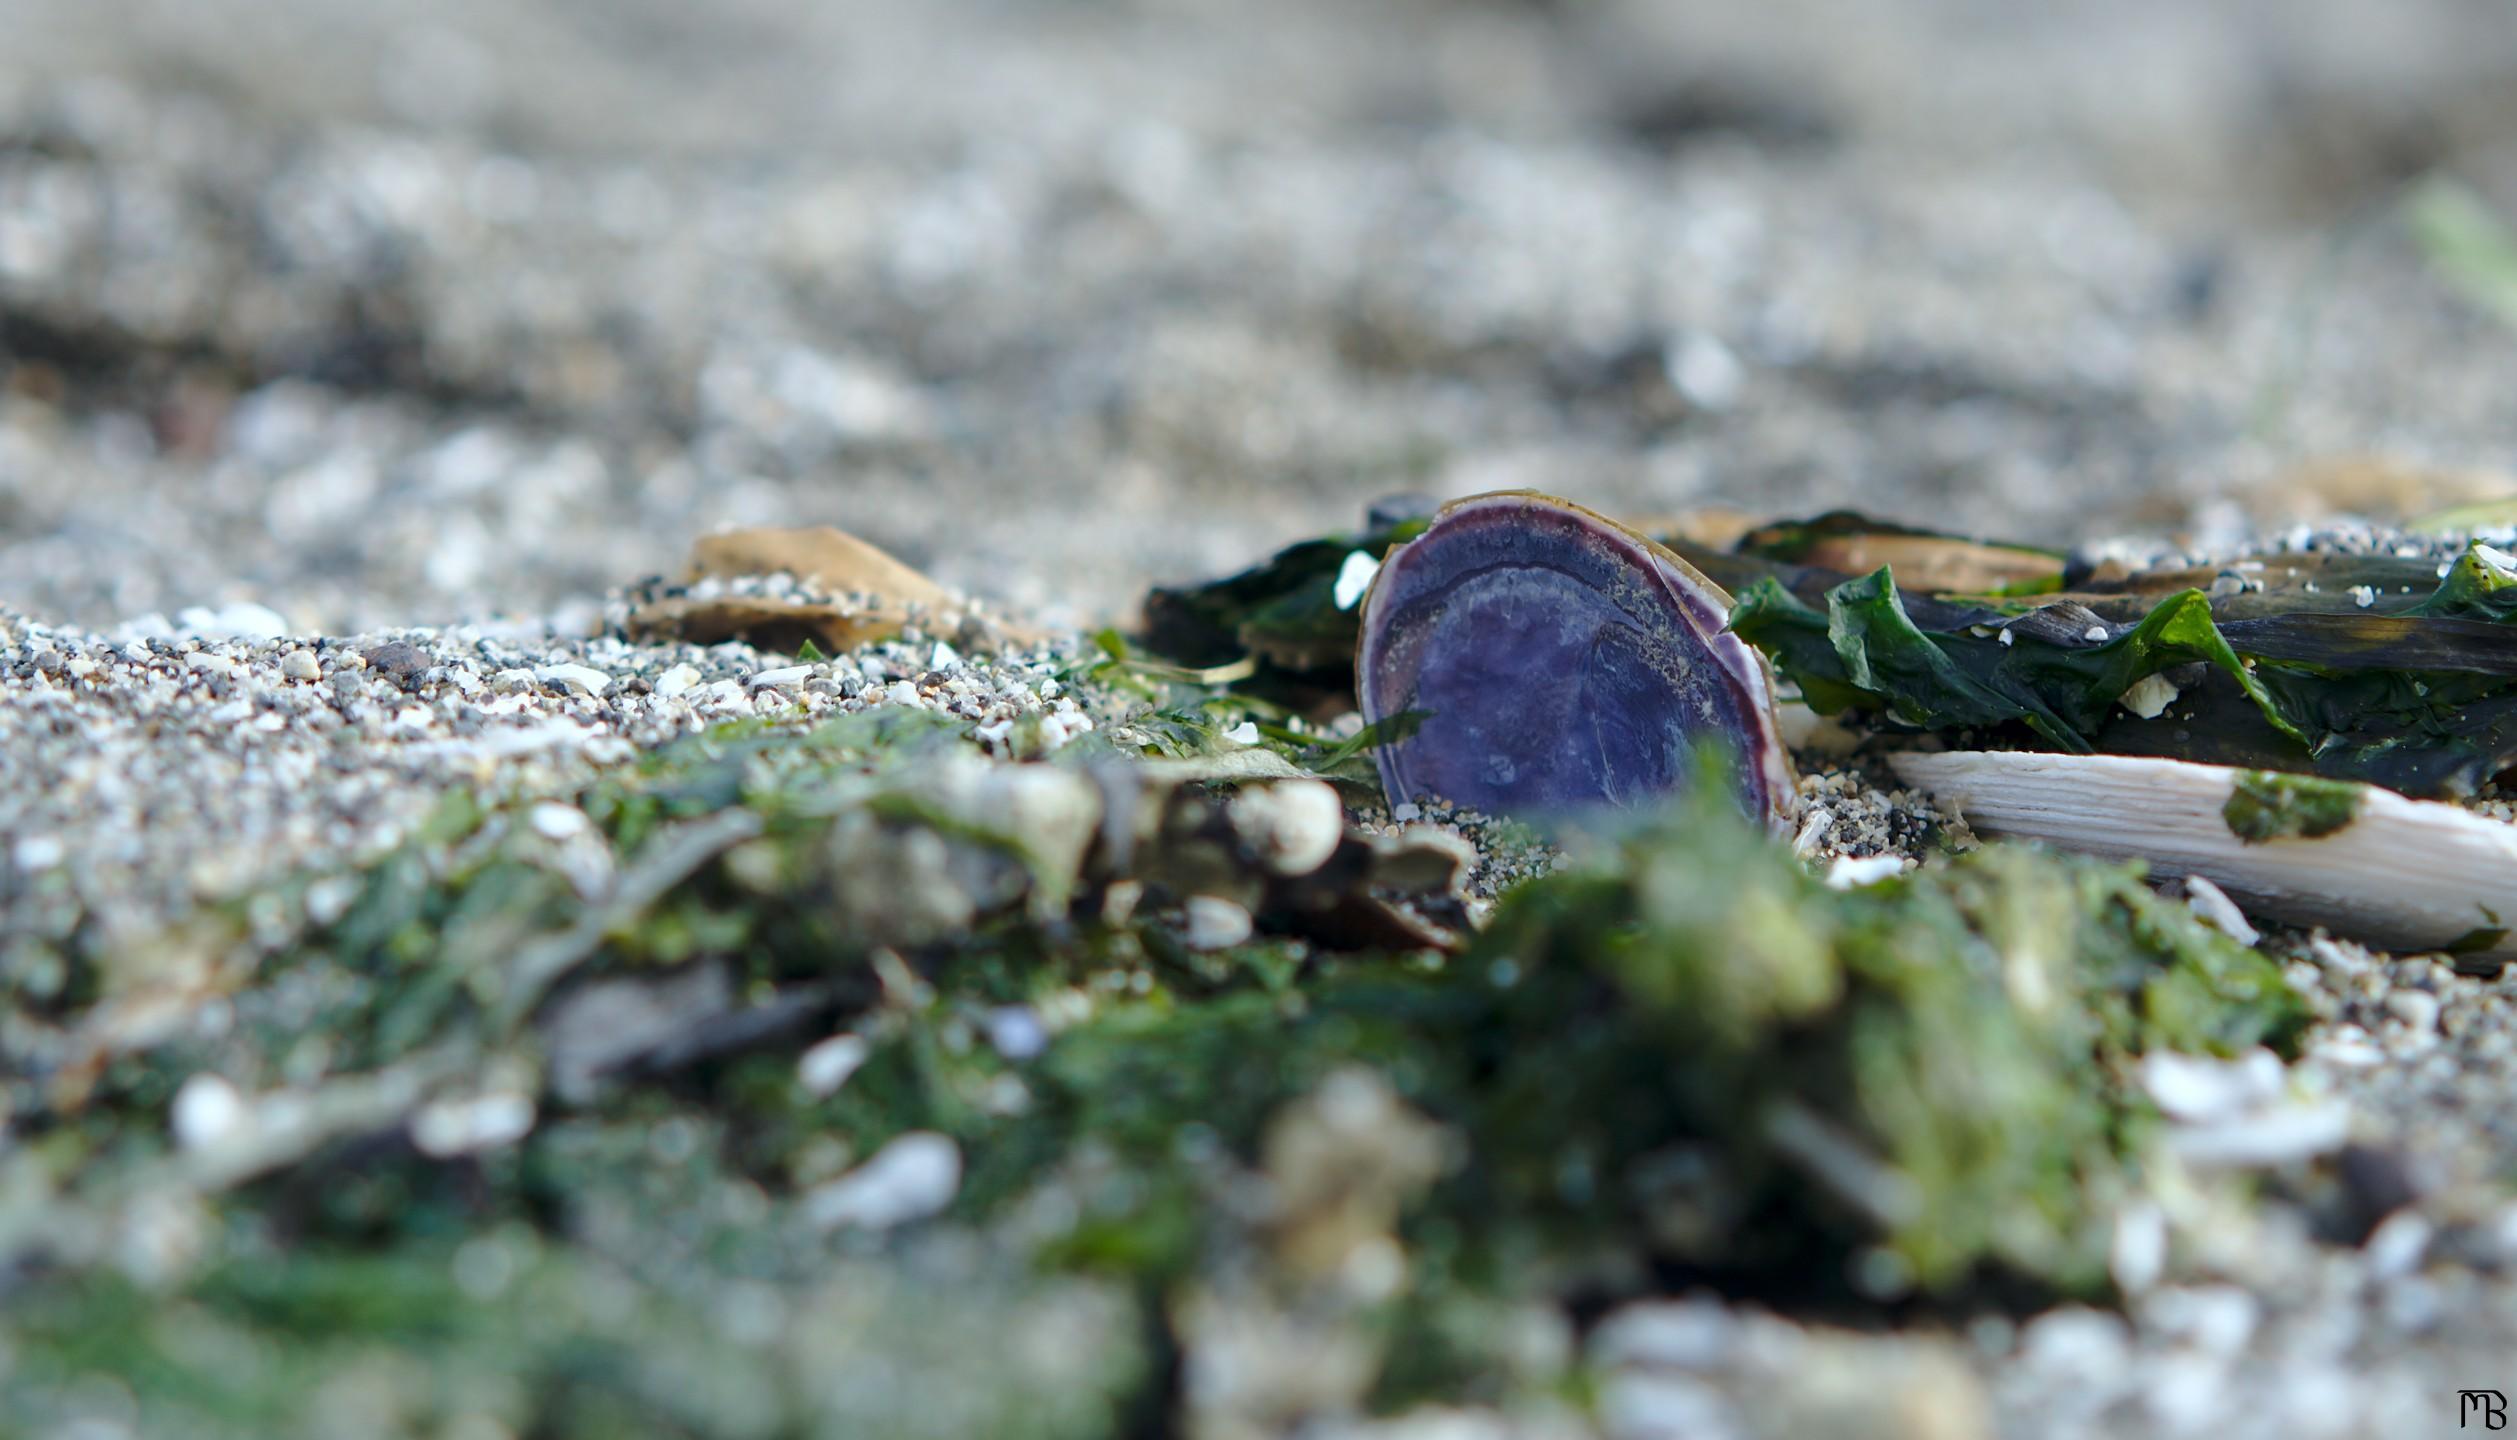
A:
[2382,668]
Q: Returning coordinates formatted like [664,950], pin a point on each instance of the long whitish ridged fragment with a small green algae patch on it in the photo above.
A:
[2392,872]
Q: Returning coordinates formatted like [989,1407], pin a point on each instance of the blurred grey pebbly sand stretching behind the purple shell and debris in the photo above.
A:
[409,311]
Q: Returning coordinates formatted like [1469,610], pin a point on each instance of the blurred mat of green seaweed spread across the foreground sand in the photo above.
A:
[1675,1051]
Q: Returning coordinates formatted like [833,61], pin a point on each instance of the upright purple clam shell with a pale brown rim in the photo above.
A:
[1562,663]
